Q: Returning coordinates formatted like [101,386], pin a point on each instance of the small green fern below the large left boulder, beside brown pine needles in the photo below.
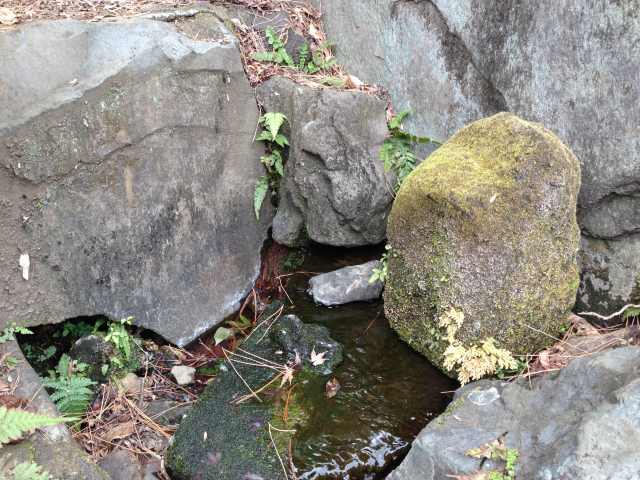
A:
[71,392]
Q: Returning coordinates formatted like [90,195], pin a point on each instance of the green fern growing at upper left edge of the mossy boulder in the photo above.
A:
[397,151]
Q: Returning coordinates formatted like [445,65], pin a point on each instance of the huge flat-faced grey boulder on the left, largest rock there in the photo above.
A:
[128,173]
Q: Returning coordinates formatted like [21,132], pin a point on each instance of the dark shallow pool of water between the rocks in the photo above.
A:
[388,392]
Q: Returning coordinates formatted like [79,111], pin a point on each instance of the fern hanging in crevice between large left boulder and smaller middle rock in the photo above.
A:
[273,161]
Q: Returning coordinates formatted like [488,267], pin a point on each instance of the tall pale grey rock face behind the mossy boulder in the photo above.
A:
[570,65]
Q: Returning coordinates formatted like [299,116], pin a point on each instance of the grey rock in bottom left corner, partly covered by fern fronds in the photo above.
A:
[53,448]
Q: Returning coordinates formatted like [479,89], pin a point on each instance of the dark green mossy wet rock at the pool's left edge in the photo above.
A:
[222,439]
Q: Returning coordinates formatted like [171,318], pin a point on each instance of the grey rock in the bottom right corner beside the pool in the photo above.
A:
[582,424]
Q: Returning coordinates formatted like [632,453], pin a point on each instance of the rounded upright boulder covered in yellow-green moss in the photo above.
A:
[484,231]
